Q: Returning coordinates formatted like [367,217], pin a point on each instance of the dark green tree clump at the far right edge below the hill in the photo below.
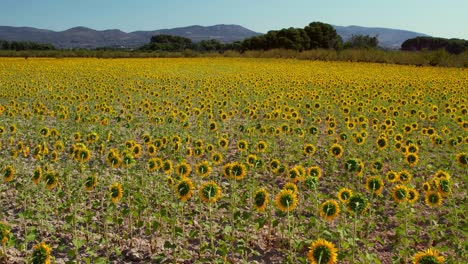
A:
[453,46]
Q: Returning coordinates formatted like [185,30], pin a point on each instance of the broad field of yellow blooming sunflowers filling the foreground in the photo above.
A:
[231,160]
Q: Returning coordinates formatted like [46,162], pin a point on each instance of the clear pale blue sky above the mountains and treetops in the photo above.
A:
[442,18]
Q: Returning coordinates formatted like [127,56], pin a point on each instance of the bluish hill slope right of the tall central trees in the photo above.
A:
[388,38]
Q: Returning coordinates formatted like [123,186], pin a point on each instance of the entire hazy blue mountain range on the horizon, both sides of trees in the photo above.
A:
[83,37]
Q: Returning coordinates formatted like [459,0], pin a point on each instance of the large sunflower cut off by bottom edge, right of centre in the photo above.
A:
[322,252]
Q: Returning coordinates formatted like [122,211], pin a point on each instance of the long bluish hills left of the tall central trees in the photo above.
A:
[82,37]
